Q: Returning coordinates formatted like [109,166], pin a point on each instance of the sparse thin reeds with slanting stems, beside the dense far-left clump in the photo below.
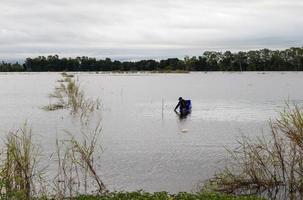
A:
[77,170]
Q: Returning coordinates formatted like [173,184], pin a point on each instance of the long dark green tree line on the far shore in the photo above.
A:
[258,60]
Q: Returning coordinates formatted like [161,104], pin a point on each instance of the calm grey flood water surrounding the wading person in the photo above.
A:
[145,144]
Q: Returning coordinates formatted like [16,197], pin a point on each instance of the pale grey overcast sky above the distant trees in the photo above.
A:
[130,29]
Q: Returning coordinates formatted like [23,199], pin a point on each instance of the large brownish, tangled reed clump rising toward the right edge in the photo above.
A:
[271,165]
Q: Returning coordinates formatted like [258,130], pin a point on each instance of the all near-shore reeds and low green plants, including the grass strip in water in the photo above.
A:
[269,166]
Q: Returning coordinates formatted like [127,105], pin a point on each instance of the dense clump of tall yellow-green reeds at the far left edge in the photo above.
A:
[19,172]
